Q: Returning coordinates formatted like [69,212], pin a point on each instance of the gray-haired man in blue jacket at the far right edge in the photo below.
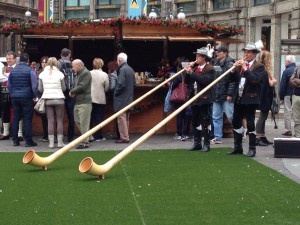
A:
[285,92]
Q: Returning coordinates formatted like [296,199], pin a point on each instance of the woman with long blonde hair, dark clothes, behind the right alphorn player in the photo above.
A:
[266,98]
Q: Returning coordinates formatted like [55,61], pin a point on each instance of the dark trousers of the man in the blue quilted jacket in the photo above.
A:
[23,107]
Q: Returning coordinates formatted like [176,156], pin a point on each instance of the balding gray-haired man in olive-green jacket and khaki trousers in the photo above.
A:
[83,99]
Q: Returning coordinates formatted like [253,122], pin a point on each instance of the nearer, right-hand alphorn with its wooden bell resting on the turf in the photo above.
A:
[87,165]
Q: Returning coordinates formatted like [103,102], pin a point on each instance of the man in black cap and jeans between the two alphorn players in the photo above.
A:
[223,93]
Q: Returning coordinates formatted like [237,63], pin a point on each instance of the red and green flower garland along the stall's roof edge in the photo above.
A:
[212,29]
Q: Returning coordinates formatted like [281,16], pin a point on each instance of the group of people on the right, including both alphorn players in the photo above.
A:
[249,87]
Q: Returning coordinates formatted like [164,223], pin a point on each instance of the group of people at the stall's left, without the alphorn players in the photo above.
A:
[65,86]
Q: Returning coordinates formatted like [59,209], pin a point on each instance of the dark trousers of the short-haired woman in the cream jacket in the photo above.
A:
[97,116]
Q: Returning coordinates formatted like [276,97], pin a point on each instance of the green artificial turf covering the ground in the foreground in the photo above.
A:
[148,187]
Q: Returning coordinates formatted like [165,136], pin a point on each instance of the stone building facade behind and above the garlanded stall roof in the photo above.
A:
[275,22]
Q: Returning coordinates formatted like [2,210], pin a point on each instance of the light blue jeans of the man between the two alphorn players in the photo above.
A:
[218,109]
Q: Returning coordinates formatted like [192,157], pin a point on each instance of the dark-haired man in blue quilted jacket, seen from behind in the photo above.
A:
[22,87]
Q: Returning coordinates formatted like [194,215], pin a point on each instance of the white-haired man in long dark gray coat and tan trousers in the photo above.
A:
[123,96]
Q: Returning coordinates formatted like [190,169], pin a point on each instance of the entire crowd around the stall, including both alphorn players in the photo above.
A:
[68,86]
